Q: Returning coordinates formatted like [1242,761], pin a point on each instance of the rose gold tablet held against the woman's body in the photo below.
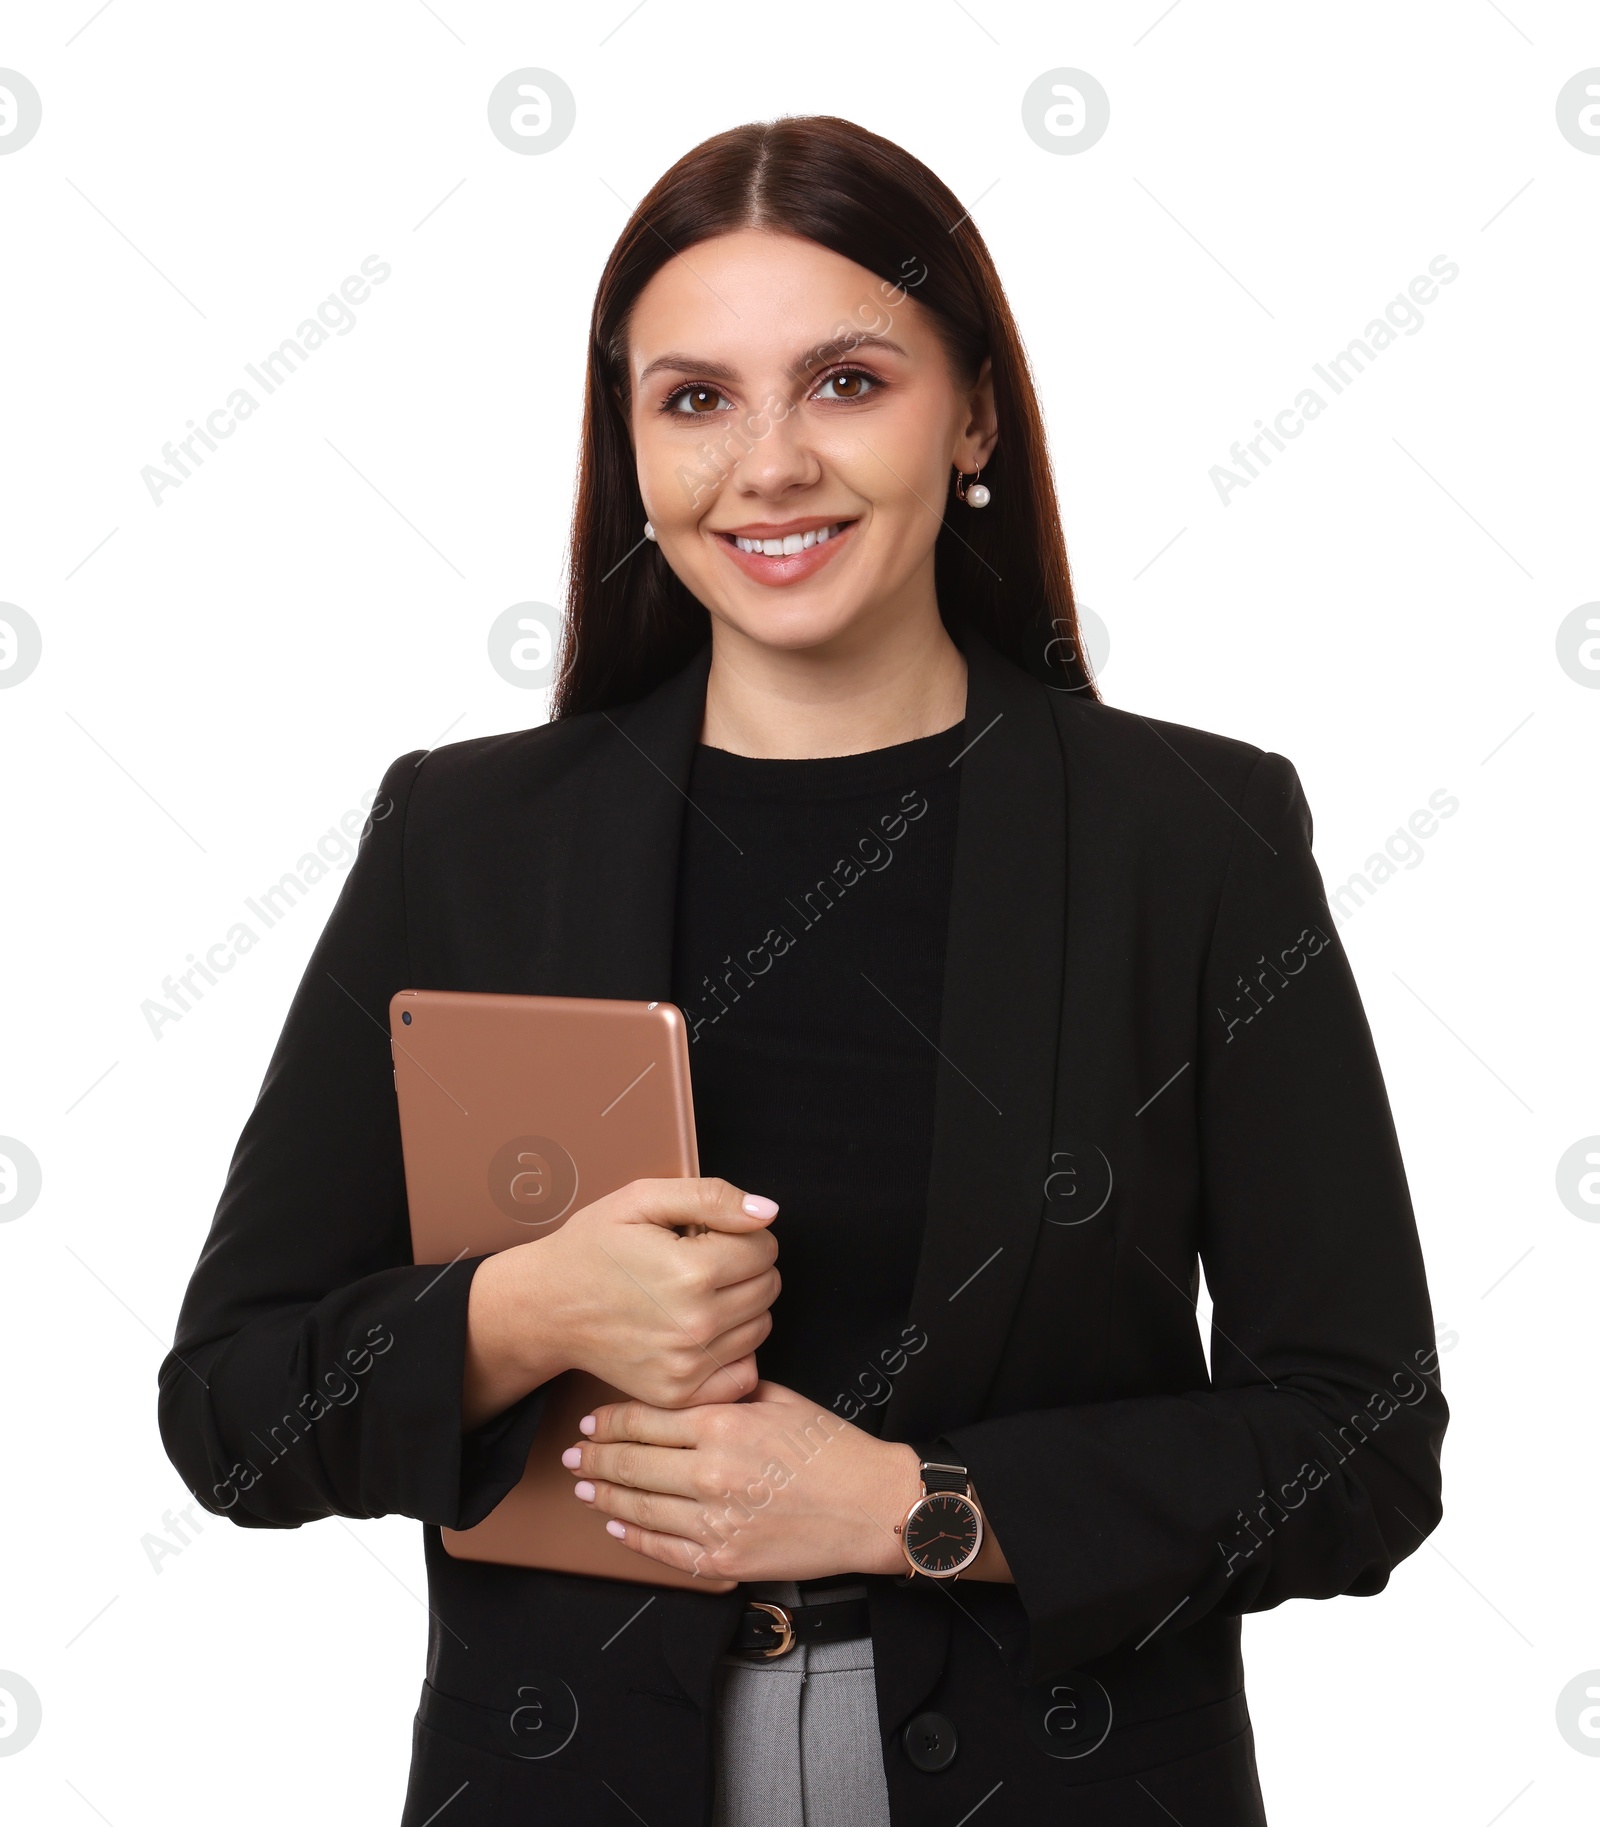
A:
[516,1112]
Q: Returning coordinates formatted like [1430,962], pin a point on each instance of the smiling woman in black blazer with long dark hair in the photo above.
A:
[1013,1008]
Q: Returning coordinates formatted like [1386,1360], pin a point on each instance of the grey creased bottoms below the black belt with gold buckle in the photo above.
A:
[797,1738]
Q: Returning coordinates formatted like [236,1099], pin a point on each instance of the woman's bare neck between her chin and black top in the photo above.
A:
[868,690]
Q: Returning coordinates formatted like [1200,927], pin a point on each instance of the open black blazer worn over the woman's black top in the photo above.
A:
[1152,1055]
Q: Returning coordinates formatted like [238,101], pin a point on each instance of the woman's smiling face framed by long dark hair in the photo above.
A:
[795,423]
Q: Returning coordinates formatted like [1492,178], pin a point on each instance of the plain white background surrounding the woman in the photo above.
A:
[226,675]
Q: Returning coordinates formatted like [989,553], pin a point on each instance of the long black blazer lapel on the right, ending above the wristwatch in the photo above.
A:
[998,1044]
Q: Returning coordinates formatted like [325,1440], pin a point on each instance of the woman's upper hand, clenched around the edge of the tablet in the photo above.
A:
[622,1293]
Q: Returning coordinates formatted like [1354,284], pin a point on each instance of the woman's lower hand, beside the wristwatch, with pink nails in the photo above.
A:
[768,1488]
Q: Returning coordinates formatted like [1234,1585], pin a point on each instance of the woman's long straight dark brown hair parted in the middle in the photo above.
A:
[629,620]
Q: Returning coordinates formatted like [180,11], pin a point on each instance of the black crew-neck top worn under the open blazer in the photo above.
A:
[814,902]
